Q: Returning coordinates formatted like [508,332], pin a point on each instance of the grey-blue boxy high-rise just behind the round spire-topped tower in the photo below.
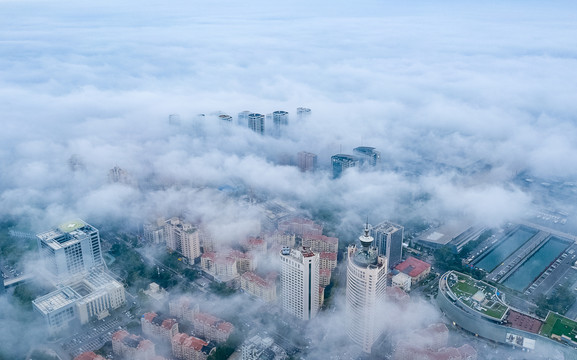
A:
[389,241]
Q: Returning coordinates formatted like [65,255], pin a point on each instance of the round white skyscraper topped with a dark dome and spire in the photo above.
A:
[366,285]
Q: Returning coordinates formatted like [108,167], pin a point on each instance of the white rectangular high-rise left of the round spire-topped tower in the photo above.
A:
[300,282]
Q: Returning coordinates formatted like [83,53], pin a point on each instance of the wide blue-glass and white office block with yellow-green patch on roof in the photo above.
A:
[71,248]
